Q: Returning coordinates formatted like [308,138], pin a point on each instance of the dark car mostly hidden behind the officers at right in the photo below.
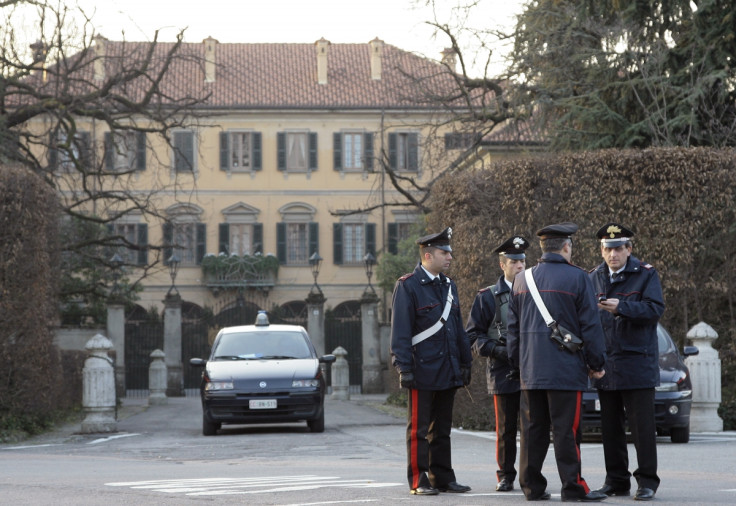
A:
[672,399]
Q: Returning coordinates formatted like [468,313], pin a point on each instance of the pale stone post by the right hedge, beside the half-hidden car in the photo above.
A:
[705,372]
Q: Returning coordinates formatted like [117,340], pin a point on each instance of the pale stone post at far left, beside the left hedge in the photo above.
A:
[98,387]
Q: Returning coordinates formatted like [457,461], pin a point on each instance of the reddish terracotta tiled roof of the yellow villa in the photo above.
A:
[277,76]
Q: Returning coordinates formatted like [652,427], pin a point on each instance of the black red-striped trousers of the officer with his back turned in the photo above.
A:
[562,410]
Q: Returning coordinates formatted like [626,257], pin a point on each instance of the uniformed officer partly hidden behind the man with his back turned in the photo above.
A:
[486,329]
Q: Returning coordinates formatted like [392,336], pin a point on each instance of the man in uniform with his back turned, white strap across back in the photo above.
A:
[553,377]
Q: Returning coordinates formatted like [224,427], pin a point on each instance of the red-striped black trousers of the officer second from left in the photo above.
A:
[507,415]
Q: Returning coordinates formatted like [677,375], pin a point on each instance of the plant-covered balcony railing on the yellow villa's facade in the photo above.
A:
[234,271]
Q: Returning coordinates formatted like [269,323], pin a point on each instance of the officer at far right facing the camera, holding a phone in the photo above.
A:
[631,304]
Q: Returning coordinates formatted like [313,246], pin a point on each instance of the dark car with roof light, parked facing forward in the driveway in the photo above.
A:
[262,373]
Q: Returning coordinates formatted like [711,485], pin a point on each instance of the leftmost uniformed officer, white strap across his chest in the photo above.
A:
[431,353]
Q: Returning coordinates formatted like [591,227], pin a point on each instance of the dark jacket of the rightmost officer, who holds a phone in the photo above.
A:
[631,335]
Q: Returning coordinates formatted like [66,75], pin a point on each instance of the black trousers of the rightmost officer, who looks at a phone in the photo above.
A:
[638,406]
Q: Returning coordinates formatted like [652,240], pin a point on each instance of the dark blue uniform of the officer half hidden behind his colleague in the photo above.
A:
[486,329]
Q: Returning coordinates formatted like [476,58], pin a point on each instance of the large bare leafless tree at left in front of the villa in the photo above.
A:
[58,97]
